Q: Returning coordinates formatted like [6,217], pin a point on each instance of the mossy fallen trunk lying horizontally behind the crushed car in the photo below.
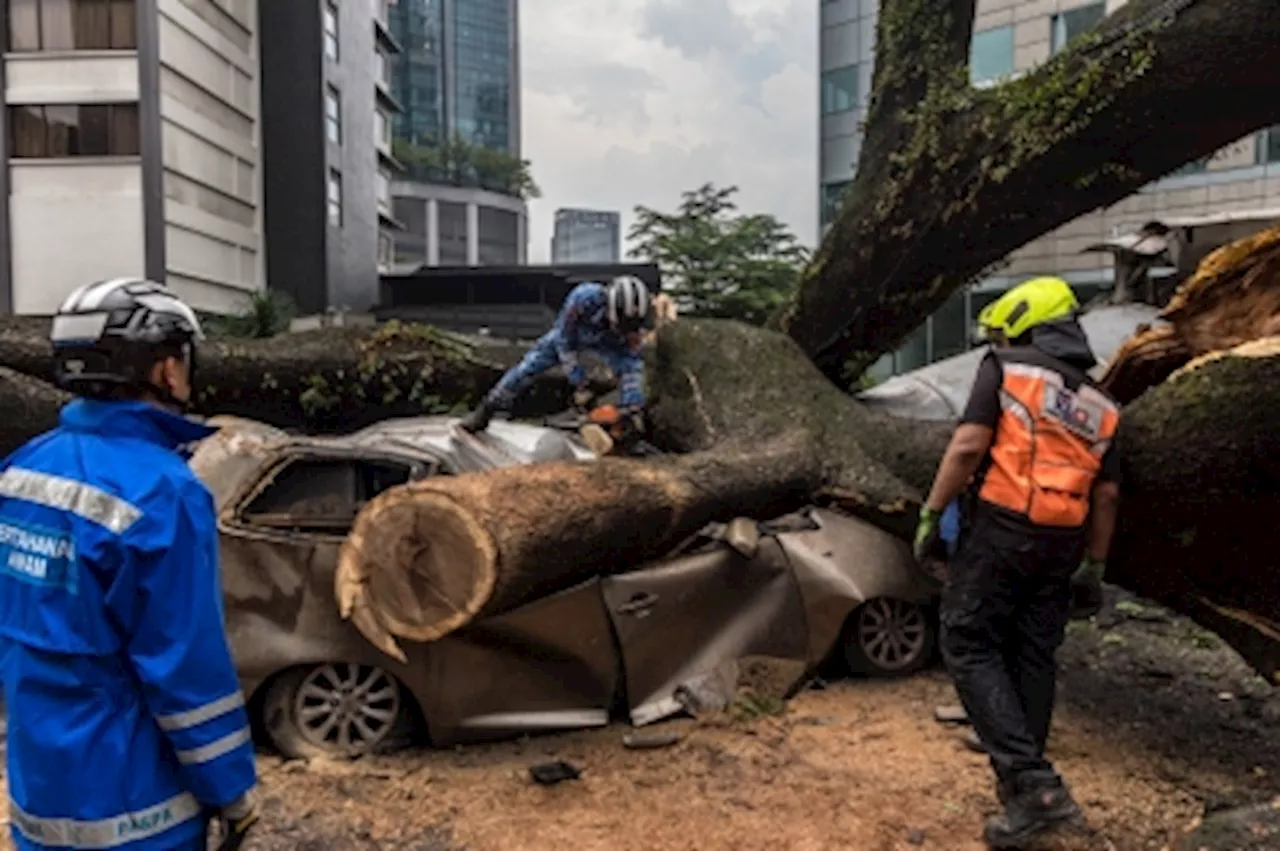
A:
[331,381]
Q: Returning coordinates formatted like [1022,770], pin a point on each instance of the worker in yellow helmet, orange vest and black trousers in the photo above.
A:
[1039,481]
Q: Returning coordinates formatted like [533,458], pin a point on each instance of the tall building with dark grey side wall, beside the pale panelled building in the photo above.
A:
[327,141]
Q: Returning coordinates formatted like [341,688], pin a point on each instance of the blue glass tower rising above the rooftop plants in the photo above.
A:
[459,72]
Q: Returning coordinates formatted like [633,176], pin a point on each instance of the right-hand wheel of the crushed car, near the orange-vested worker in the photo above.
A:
[889,638]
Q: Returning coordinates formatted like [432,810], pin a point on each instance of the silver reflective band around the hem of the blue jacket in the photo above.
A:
[106,834]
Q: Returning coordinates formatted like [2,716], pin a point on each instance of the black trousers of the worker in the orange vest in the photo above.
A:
[1004,616]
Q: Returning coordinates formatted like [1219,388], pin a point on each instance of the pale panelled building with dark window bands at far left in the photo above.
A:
[130,141]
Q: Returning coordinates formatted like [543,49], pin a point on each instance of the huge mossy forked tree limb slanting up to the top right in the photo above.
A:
[953,180]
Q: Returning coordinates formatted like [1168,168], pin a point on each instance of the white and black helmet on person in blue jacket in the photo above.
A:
[109,335]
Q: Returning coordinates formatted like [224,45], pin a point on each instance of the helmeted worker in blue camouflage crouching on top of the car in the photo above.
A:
[606,321]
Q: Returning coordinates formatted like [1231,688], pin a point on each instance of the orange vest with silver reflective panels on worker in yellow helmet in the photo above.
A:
[1053,433]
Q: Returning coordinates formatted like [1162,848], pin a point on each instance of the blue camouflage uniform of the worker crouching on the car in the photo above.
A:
[583,326]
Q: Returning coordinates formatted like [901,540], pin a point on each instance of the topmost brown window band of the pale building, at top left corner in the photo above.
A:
[72,25]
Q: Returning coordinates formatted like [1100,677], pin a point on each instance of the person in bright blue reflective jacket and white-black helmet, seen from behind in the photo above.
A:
[127,726]
